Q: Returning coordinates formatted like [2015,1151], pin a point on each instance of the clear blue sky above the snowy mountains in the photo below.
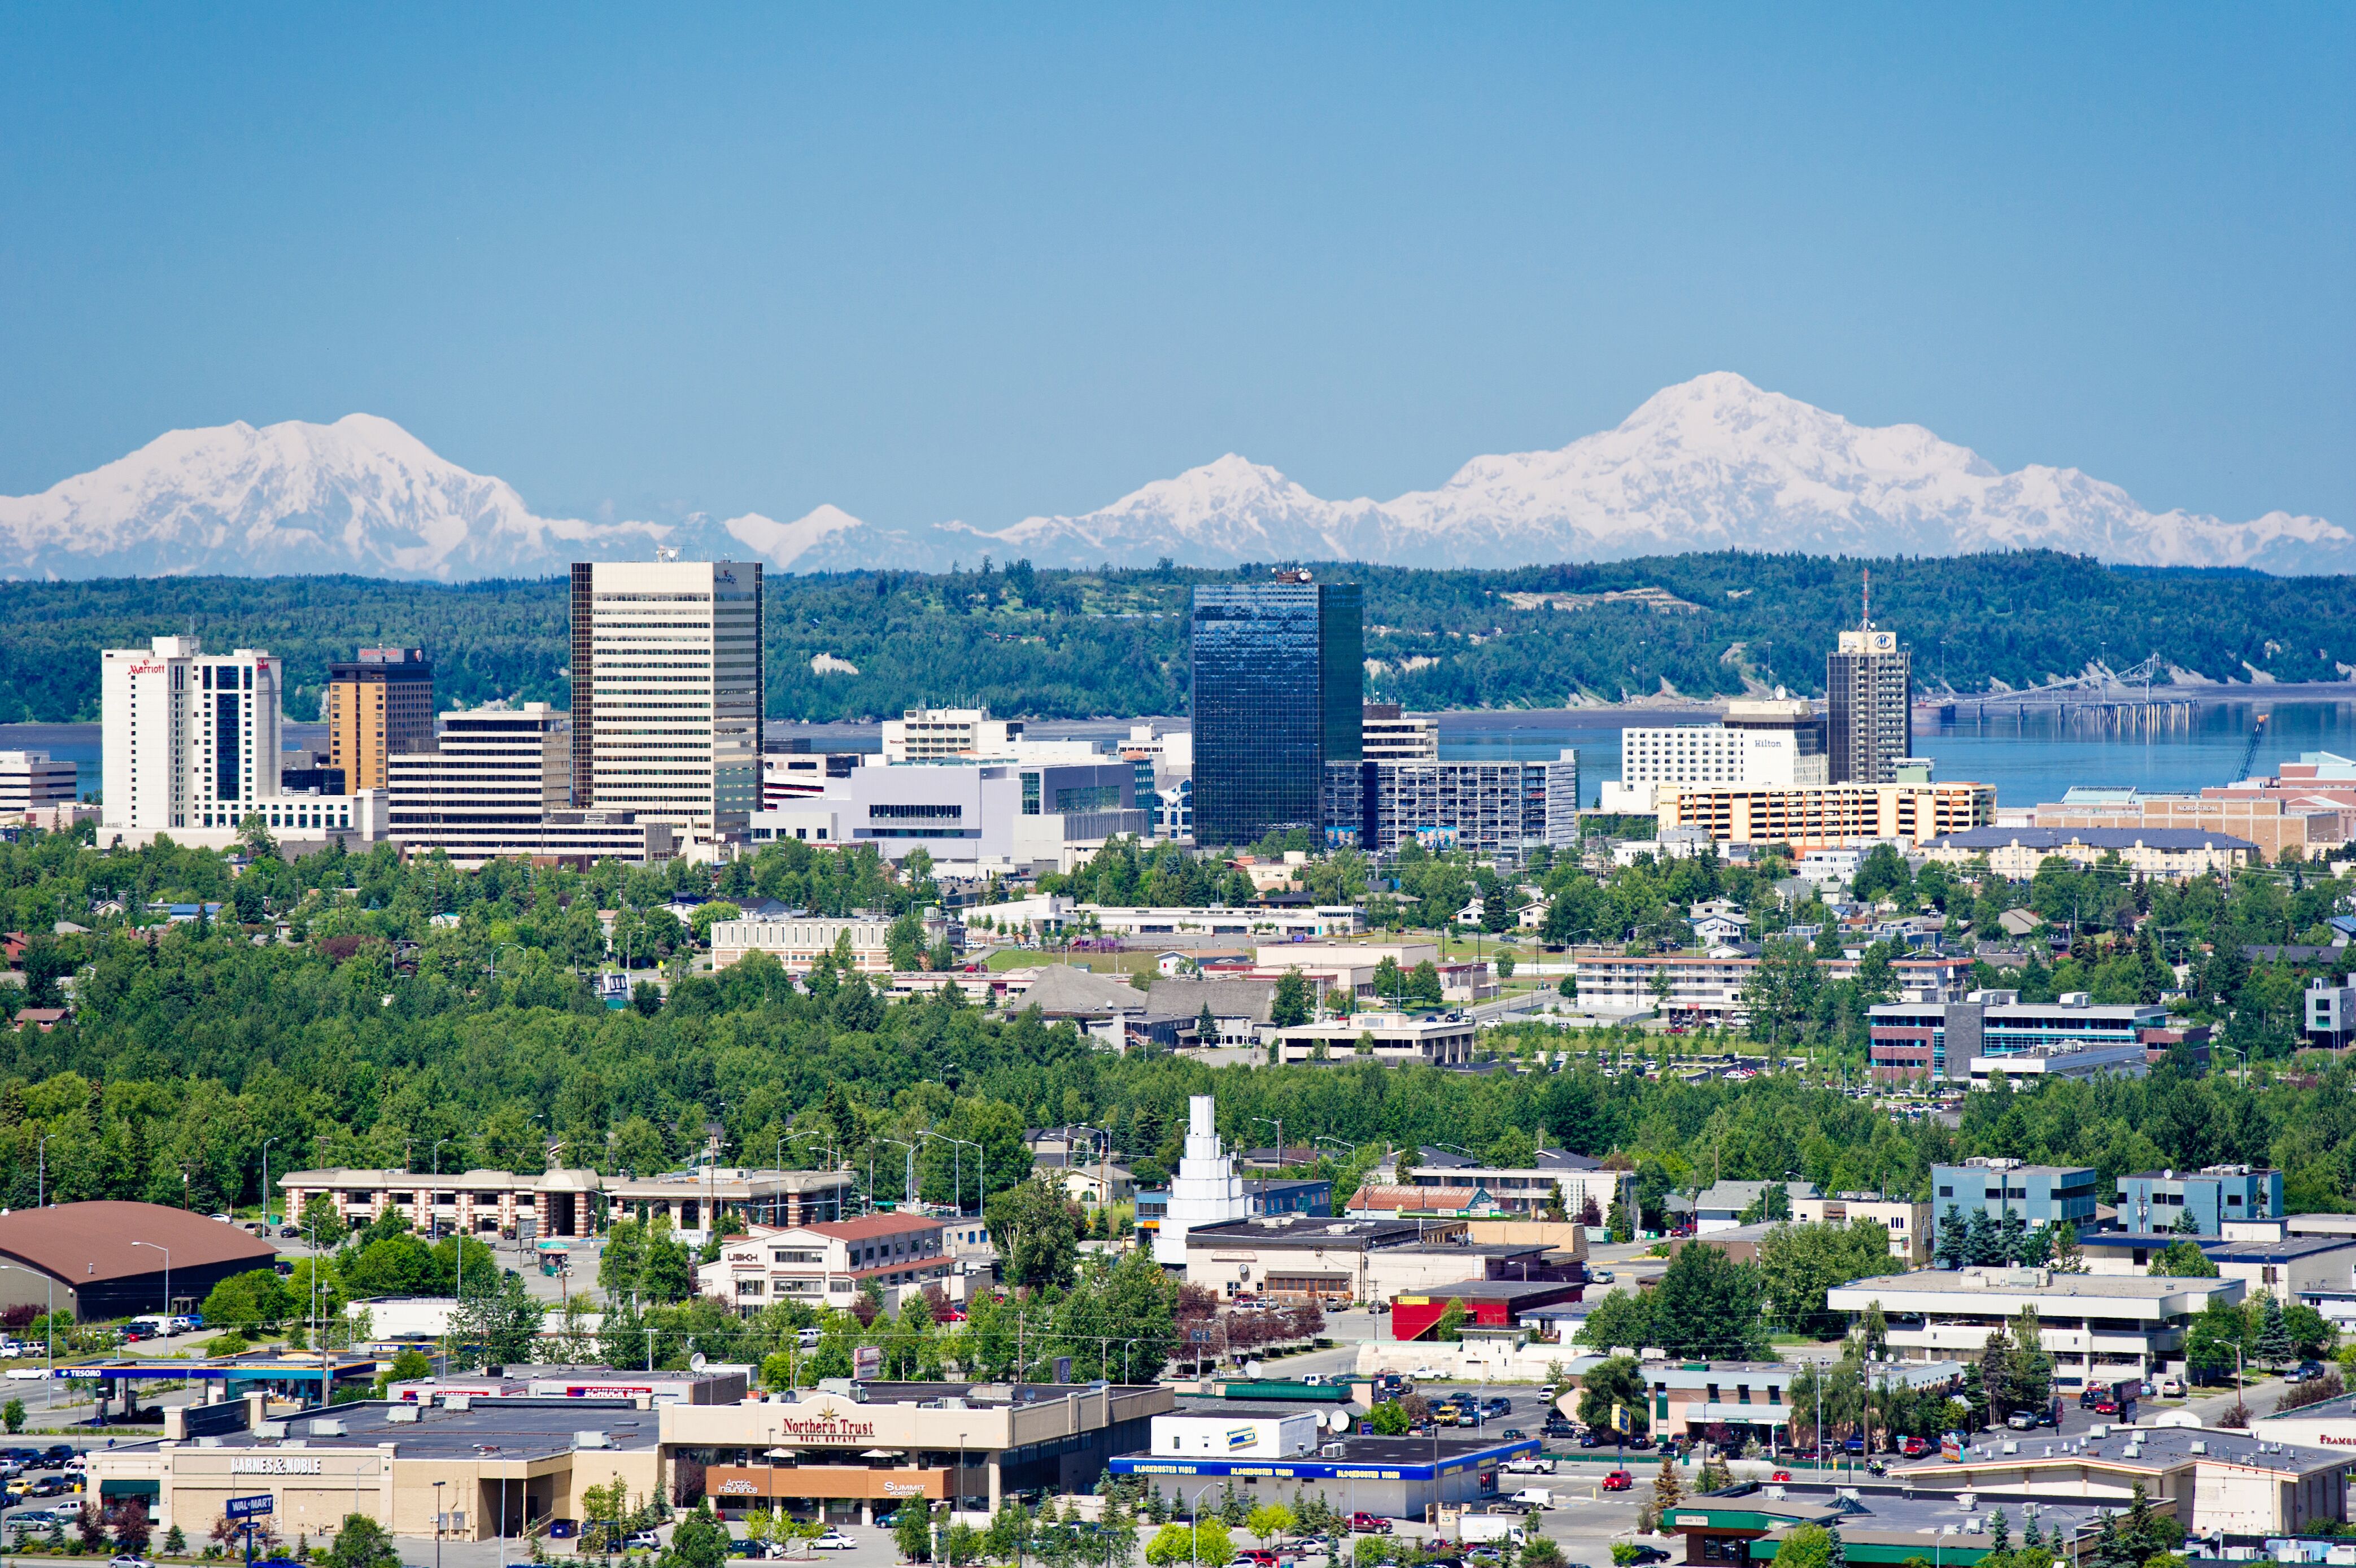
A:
[979,263]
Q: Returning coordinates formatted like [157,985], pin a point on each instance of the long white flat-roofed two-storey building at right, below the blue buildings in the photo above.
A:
[2098,1329]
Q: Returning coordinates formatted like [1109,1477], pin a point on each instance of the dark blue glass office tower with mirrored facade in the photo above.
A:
[1278,684]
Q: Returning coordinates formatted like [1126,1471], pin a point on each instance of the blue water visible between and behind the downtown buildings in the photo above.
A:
[2030,759]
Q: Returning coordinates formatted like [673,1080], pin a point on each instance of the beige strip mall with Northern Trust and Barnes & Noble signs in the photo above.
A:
[498,1466]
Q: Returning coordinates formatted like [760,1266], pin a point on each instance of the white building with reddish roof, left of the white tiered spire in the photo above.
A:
[828,1263]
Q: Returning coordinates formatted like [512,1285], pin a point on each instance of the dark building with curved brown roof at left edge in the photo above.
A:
[110,1261]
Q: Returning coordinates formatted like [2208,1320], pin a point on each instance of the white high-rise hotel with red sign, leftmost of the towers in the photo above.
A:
[190,738]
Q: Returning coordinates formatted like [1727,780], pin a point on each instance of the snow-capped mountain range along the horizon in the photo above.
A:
[1705,465]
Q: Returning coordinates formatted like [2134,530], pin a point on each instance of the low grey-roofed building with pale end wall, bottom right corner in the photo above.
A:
[2221,1482]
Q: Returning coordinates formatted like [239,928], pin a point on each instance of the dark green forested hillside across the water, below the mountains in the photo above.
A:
[1113,644]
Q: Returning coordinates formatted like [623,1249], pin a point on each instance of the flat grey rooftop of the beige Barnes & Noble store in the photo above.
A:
[484,1430]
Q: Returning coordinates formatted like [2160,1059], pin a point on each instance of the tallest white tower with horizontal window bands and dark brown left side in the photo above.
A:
[668,691]
